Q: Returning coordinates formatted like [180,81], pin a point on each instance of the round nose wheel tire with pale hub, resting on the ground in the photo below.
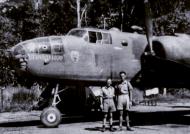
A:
[50,117]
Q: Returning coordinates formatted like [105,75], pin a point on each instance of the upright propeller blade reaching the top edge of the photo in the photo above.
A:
[148,25]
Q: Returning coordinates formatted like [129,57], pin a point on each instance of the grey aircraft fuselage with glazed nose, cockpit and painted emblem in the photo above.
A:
[83,54]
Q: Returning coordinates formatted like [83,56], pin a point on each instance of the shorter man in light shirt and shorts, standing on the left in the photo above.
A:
[107,103]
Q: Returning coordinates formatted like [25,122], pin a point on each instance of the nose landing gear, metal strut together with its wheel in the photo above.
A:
[51,116]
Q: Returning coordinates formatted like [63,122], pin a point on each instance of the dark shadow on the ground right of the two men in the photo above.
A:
[160,118]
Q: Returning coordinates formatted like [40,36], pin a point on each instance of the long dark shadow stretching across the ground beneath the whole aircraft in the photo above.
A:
[137,119]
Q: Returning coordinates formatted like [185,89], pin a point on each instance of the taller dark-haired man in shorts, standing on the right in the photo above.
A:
[124,101]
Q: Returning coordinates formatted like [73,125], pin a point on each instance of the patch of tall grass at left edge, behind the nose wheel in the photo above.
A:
[17,99]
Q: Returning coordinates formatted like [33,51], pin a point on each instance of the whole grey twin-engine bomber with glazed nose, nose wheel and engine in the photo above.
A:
[89,56]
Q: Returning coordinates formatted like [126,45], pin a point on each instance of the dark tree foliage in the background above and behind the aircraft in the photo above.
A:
[21,20]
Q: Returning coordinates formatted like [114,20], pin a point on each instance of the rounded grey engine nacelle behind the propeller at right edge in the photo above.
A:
[175,48]
